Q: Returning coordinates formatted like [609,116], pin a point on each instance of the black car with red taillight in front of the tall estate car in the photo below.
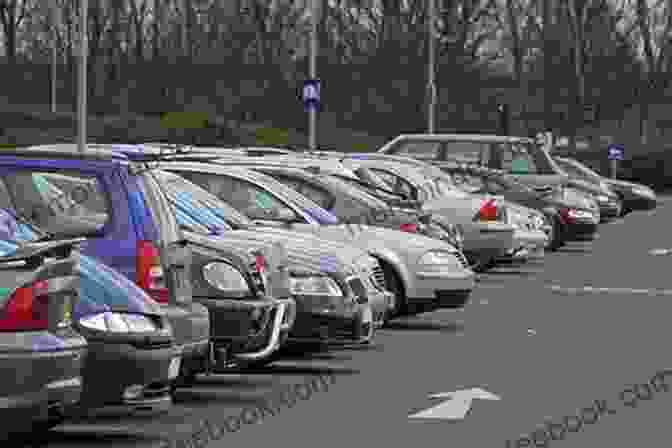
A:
[570,220]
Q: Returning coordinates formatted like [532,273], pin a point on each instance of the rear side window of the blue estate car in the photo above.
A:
[60,202]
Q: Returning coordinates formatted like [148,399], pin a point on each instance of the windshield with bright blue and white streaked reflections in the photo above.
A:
[196,208]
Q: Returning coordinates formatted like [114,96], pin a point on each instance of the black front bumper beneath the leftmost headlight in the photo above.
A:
[152,368]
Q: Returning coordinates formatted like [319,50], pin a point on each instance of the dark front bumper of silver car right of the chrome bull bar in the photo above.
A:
[326,326]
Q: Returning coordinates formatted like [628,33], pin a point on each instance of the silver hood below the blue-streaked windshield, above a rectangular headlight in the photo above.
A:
[306,253]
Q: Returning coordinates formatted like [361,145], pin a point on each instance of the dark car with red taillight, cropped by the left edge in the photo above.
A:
[43,355]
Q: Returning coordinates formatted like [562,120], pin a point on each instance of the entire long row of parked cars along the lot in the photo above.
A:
[129,270]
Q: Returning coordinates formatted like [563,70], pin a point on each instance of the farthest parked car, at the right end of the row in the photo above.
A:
[632,195]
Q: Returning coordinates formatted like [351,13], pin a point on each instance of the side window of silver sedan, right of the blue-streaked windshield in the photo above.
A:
[244,196]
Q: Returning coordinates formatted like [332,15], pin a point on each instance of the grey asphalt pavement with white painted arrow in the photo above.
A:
[538,343]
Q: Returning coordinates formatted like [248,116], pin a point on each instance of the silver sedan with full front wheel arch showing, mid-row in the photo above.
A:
[421,272]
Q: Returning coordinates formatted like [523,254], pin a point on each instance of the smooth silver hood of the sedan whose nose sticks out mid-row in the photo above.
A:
[376,238]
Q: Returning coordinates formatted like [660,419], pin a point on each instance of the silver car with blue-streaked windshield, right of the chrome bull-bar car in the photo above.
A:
[333,285]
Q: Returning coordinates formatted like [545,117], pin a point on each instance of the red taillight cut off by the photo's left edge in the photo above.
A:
[27,309]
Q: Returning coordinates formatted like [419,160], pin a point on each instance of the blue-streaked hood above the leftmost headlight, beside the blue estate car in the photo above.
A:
[104,289]
